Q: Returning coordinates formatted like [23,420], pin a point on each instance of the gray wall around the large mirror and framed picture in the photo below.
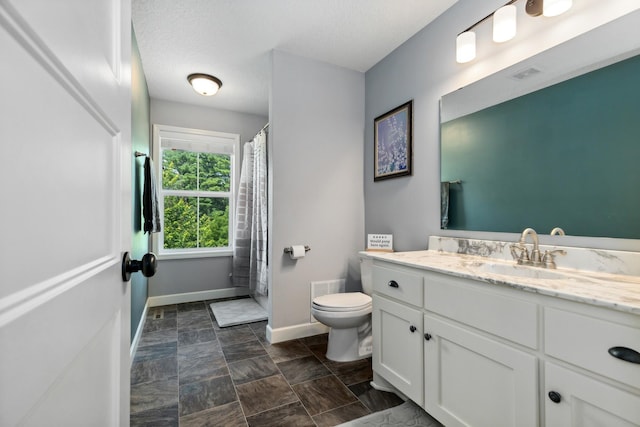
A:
[424,69]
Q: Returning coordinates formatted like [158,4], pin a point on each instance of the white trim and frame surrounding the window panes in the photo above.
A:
[196,136]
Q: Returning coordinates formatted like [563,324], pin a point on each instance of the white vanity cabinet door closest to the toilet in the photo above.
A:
[397,349]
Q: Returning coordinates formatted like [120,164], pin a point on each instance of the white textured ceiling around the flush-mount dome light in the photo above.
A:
[231,39]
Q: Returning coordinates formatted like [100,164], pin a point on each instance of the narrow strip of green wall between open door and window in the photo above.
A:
[140,136]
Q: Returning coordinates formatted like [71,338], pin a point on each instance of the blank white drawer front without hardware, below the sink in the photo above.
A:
[481,307]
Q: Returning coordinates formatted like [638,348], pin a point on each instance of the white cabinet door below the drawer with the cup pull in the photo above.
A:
[585,402]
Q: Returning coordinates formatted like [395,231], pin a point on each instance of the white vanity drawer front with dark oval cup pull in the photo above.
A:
[585,341]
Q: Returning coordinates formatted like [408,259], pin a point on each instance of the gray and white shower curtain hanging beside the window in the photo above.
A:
[250,252]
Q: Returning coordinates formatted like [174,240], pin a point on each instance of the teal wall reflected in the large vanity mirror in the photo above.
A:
[567,155]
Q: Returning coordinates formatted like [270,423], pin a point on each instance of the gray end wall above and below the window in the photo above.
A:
[175,276]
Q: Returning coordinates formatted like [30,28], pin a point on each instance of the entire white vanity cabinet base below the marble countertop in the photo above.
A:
[489,355]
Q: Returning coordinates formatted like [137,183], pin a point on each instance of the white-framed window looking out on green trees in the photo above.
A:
[195,170]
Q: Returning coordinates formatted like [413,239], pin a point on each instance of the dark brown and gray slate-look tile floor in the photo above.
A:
[189,372]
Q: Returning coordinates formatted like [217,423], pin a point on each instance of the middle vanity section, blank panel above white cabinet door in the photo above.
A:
[473,376]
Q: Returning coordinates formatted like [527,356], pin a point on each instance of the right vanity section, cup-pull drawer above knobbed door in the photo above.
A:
[593,388]
